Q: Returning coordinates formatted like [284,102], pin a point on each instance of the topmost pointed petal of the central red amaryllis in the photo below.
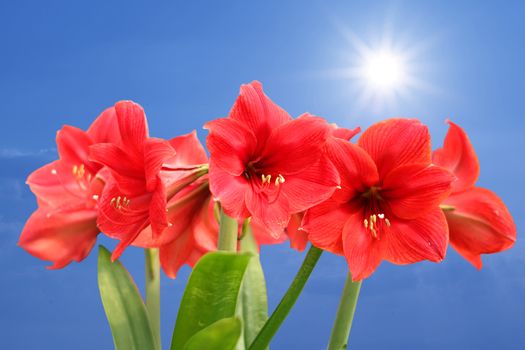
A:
[255,110]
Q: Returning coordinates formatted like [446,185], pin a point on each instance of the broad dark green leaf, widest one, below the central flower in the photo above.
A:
[211,294]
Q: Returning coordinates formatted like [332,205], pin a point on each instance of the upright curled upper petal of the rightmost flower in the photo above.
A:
[458,156]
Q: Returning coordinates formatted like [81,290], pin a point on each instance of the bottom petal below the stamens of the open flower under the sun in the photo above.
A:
[362,251]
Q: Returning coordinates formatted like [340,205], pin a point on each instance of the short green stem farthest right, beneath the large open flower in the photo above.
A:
[345,315]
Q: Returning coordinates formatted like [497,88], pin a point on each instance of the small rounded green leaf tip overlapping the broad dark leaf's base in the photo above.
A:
[221,335]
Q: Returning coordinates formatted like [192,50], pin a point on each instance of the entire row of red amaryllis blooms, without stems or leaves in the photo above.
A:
[384,197]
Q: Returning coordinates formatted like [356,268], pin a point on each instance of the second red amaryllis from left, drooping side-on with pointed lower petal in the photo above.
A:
[135,194]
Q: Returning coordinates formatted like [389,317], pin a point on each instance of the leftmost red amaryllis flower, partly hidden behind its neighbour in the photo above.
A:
[64,228]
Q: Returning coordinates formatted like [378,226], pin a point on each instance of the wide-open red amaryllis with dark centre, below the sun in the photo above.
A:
[388,204]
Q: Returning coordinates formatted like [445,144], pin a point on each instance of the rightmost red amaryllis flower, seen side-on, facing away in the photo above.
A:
[478,220]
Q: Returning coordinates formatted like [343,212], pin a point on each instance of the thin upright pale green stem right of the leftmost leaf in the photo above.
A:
[151,256]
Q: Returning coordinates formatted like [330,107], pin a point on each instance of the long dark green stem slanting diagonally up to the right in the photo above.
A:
[274,322]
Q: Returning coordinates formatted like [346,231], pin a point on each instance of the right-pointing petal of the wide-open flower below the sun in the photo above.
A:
[414,189]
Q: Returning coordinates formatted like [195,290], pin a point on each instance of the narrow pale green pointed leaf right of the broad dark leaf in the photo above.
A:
[253,298]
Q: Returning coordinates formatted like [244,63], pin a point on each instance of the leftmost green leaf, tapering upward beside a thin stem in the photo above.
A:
[125,310]
